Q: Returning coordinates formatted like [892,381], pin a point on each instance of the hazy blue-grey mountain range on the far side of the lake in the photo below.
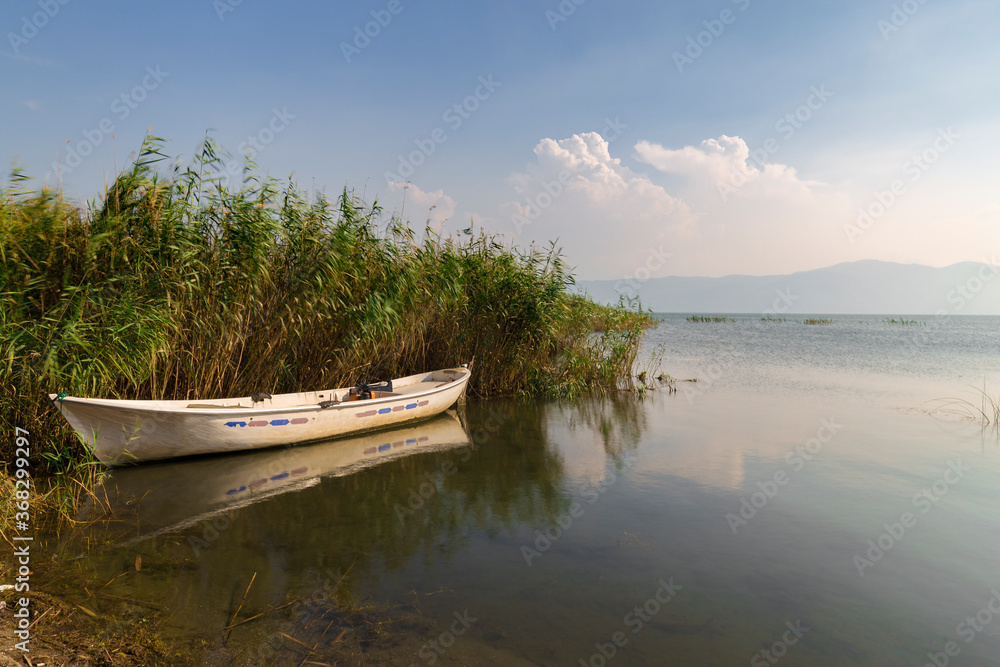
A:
[867,287]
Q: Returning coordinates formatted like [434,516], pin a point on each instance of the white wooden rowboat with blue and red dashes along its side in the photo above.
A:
[120,432]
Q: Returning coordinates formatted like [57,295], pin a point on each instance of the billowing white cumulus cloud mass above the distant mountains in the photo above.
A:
[729,211]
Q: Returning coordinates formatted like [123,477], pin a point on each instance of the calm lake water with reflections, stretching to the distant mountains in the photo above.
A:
[805,503]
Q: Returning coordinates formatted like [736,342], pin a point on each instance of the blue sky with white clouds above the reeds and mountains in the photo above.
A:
[644,138]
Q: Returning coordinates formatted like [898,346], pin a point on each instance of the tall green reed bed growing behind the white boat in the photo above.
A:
[177,285]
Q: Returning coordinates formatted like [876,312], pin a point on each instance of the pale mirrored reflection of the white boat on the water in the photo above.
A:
[170,497]
